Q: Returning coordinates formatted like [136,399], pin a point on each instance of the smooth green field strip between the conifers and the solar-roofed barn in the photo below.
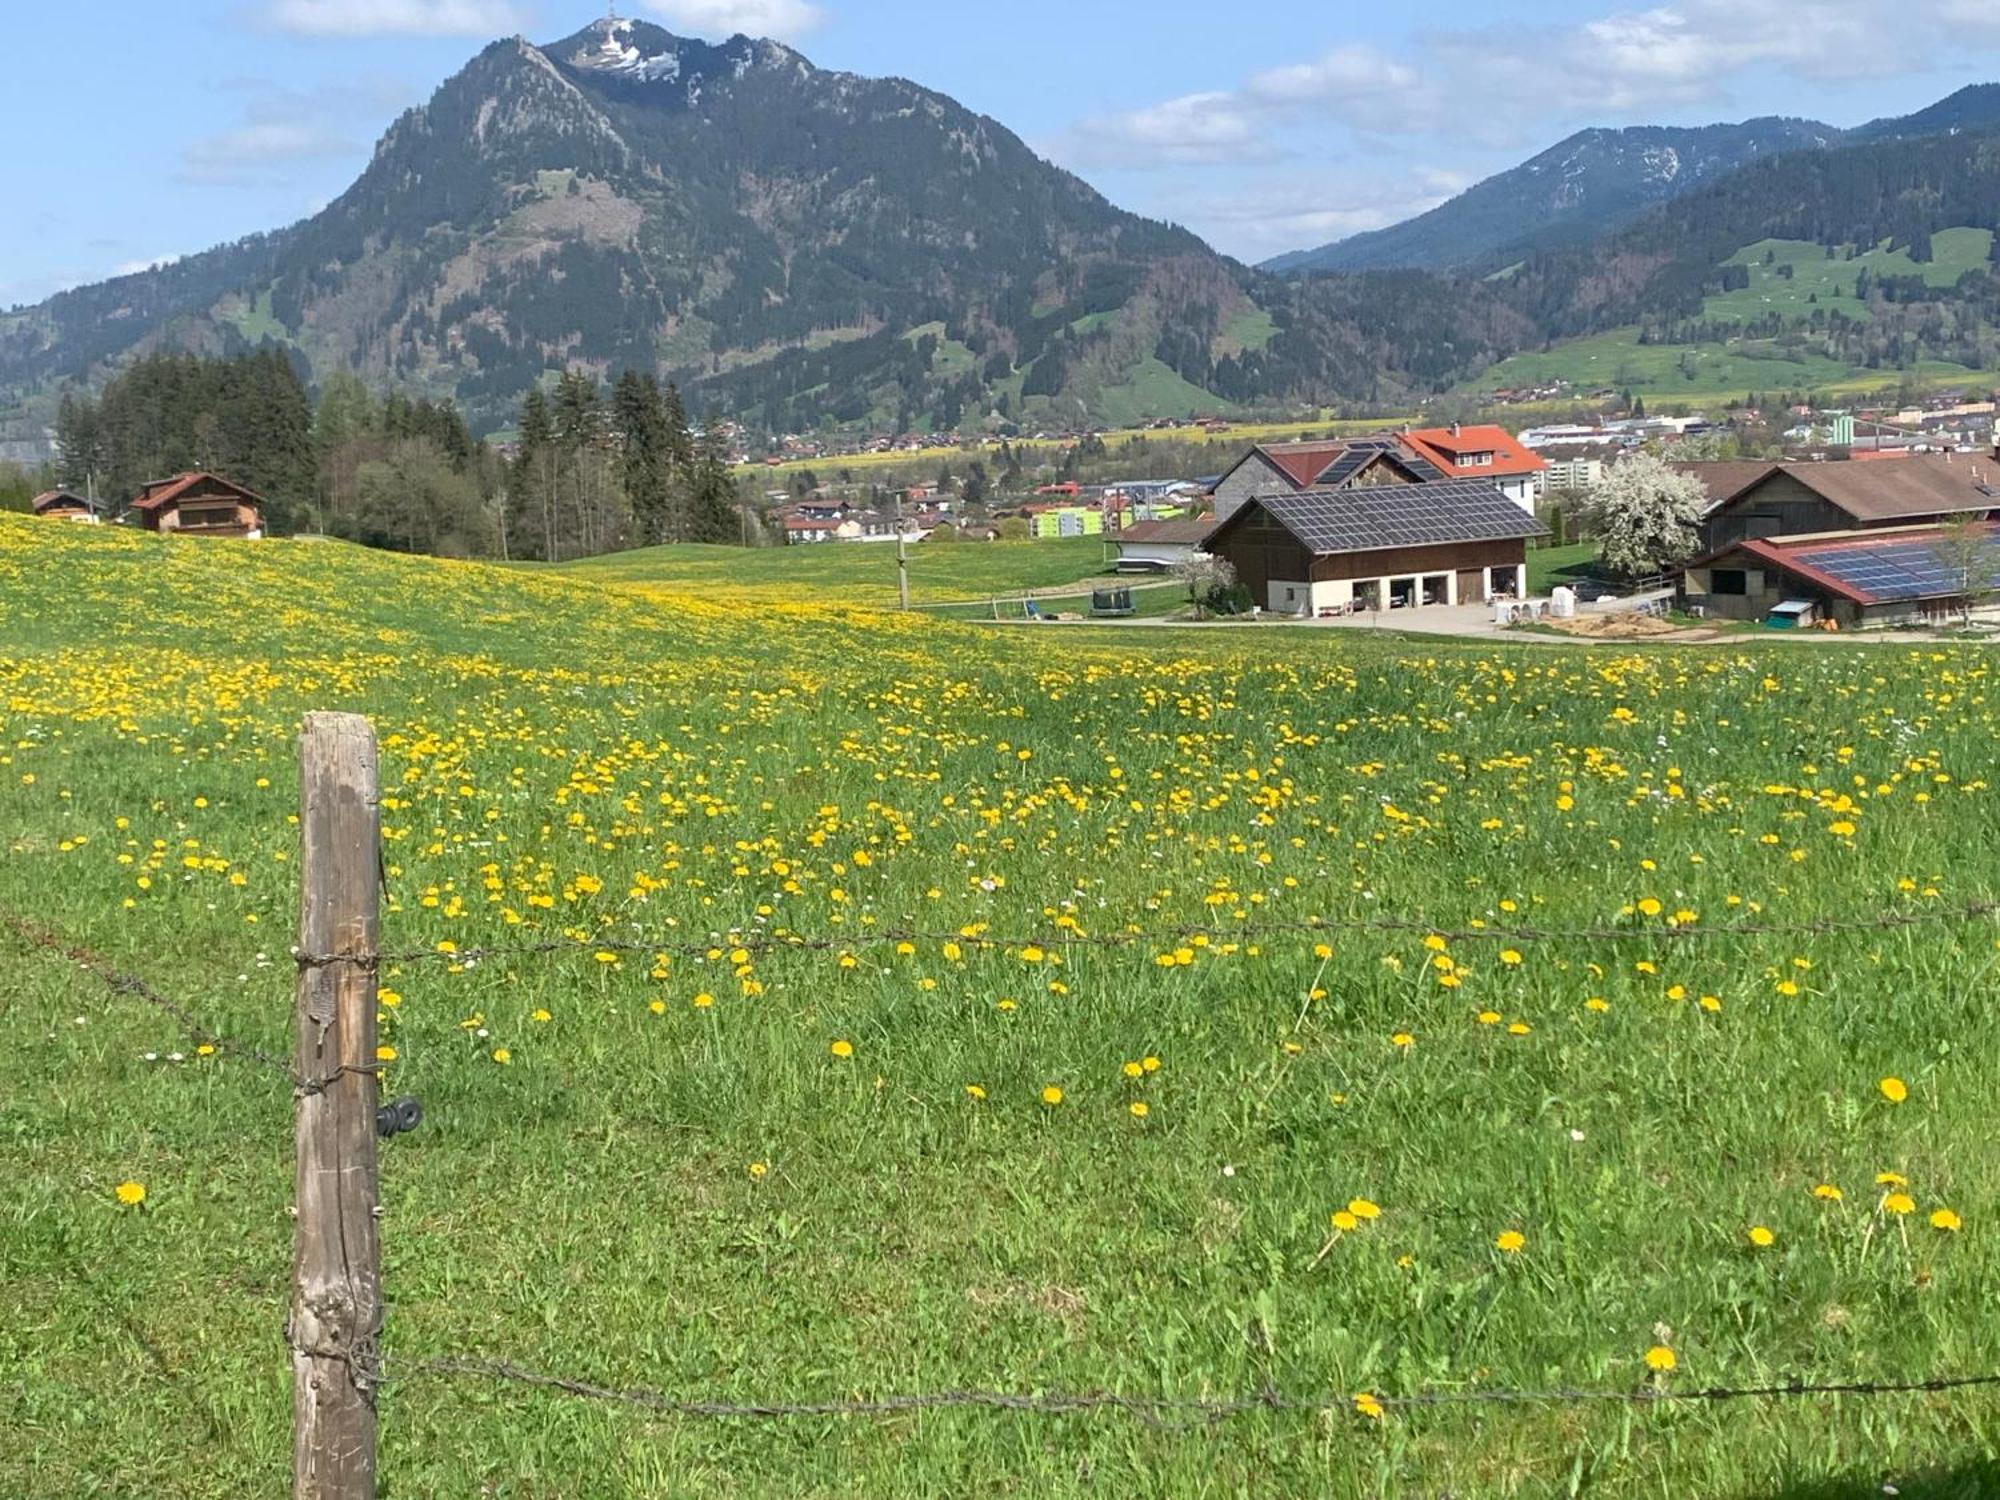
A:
[855,573]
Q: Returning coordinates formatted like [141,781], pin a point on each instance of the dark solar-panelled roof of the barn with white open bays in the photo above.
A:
[1399,515]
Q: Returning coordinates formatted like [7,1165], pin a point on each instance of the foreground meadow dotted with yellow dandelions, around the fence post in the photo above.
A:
[1171,1013]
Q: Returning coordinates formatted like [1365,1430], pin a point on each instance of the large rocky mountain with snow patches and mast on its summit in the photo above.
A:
[795,245]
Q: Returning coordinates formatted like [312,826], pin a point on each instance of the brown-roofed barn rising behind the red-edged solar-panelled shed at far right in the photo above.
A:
[1811,499]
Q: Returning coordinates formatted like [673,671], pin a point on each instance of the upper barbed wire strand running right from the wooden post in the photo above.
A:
[781,941]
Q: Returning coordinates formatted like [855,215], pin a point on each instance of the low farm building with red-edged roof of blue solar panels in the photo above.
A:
[1877,577]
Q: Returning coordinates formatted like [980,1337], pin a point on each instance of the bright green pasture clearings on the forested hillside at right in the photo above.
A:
[1617,361]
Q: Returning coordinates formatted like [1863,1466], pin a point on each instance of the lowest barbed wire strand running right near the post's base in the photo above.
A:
[1159,1411]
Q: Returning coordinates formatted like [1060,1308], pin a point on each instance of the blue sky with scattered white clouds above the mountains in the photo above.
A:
[143,131]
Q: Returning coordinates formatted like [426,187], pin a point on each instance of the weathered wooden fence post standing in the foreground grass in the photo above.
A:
[337,1261]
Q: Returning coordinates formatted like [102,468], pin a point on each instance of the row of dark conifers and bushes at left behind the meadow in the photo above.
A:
[595,471]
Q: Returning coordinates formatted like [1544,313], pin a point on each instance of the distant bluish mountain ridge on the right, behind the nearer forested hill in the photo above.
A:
[1599,181]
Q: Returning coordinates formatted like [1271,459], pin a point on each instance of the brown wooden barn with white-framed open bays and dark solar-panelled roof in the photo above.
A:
[1383,549]
